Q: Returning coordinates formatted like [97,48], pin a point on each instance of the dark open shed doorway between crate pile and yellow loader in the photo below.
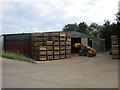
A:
[73,41]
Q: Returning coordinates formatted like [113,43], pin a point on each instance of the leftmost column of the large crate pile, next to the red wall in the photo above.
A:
[38,47]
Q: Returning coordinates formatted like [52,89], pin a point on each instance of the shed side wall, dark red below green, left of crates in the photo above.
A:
[18,43]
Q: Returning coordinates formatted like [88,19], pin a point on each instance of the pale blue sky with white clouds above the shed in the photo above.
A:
[24,16]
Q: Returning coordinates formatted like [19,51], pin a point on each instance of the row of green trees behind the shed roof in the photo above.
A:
[101,31]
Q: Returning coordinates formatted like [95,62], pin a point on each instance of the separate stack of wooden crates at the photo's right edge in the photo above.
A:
[115,46]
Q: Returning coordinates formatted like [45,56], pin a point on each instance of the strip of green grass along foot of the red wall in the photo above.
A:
[17,57]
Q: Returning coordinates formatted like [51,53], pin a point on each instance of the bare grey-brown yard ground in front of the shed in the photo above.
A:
[77,72]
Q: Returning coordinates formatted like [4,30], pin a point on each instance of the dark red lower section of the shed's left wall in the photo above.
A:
[18,46]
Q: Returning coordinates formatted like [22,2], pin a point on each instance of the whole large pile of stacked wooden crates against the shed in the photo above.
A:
[51,46]
